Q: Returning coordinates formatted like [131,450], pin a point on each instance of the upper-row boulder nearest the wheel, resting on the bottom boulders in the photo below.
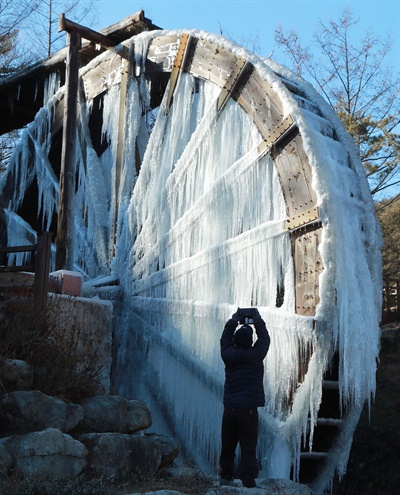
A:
[114,414]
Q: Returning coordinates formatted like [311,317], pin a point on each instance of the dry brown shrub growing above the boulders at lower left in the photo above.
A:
[61,365]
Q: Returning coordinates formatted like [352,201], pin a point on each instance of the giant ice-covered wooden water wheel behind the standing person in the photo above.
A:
[230,182]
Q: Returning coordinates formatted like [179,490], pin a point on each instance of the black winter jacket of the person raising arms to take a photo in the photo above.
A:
[244,368]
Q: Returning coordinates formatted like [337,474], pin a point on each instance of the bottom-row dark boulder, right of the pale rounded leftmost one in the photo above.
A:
[121,456]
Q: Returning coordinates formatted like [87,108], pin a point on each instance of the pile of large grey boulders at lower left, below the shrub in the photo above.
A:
[103,436]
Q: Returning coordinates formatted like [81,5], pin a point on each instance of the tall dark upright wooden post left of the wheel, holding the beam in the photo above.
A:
[64,253]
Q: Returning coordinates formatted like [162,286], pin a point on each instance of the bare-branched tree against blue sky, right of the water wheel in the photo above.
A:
[358,83]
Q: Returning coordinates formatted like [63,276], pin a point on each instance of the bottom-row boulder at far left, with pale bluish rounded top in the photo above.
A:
[46,454]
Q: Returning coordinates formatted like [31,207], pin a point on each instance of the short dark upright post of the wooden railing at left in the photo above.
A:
[42,269]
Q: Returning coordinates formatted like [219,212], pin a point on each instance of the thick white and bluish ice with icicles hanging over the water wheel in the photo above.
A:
[200,231]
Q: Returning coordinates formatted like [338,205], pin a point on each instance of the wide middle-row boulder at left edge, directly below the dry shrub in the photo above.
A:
[23,412]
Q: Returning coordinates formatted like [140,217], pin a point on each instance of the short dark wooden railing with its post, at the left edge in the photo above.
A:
[40,268]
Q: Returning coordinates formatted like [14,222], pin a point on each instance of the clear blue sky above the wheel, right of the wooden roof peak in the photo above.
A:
[255,20]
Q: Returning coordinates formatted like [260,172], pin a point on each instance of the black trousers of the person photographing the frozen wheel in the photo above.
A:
[239,425]
